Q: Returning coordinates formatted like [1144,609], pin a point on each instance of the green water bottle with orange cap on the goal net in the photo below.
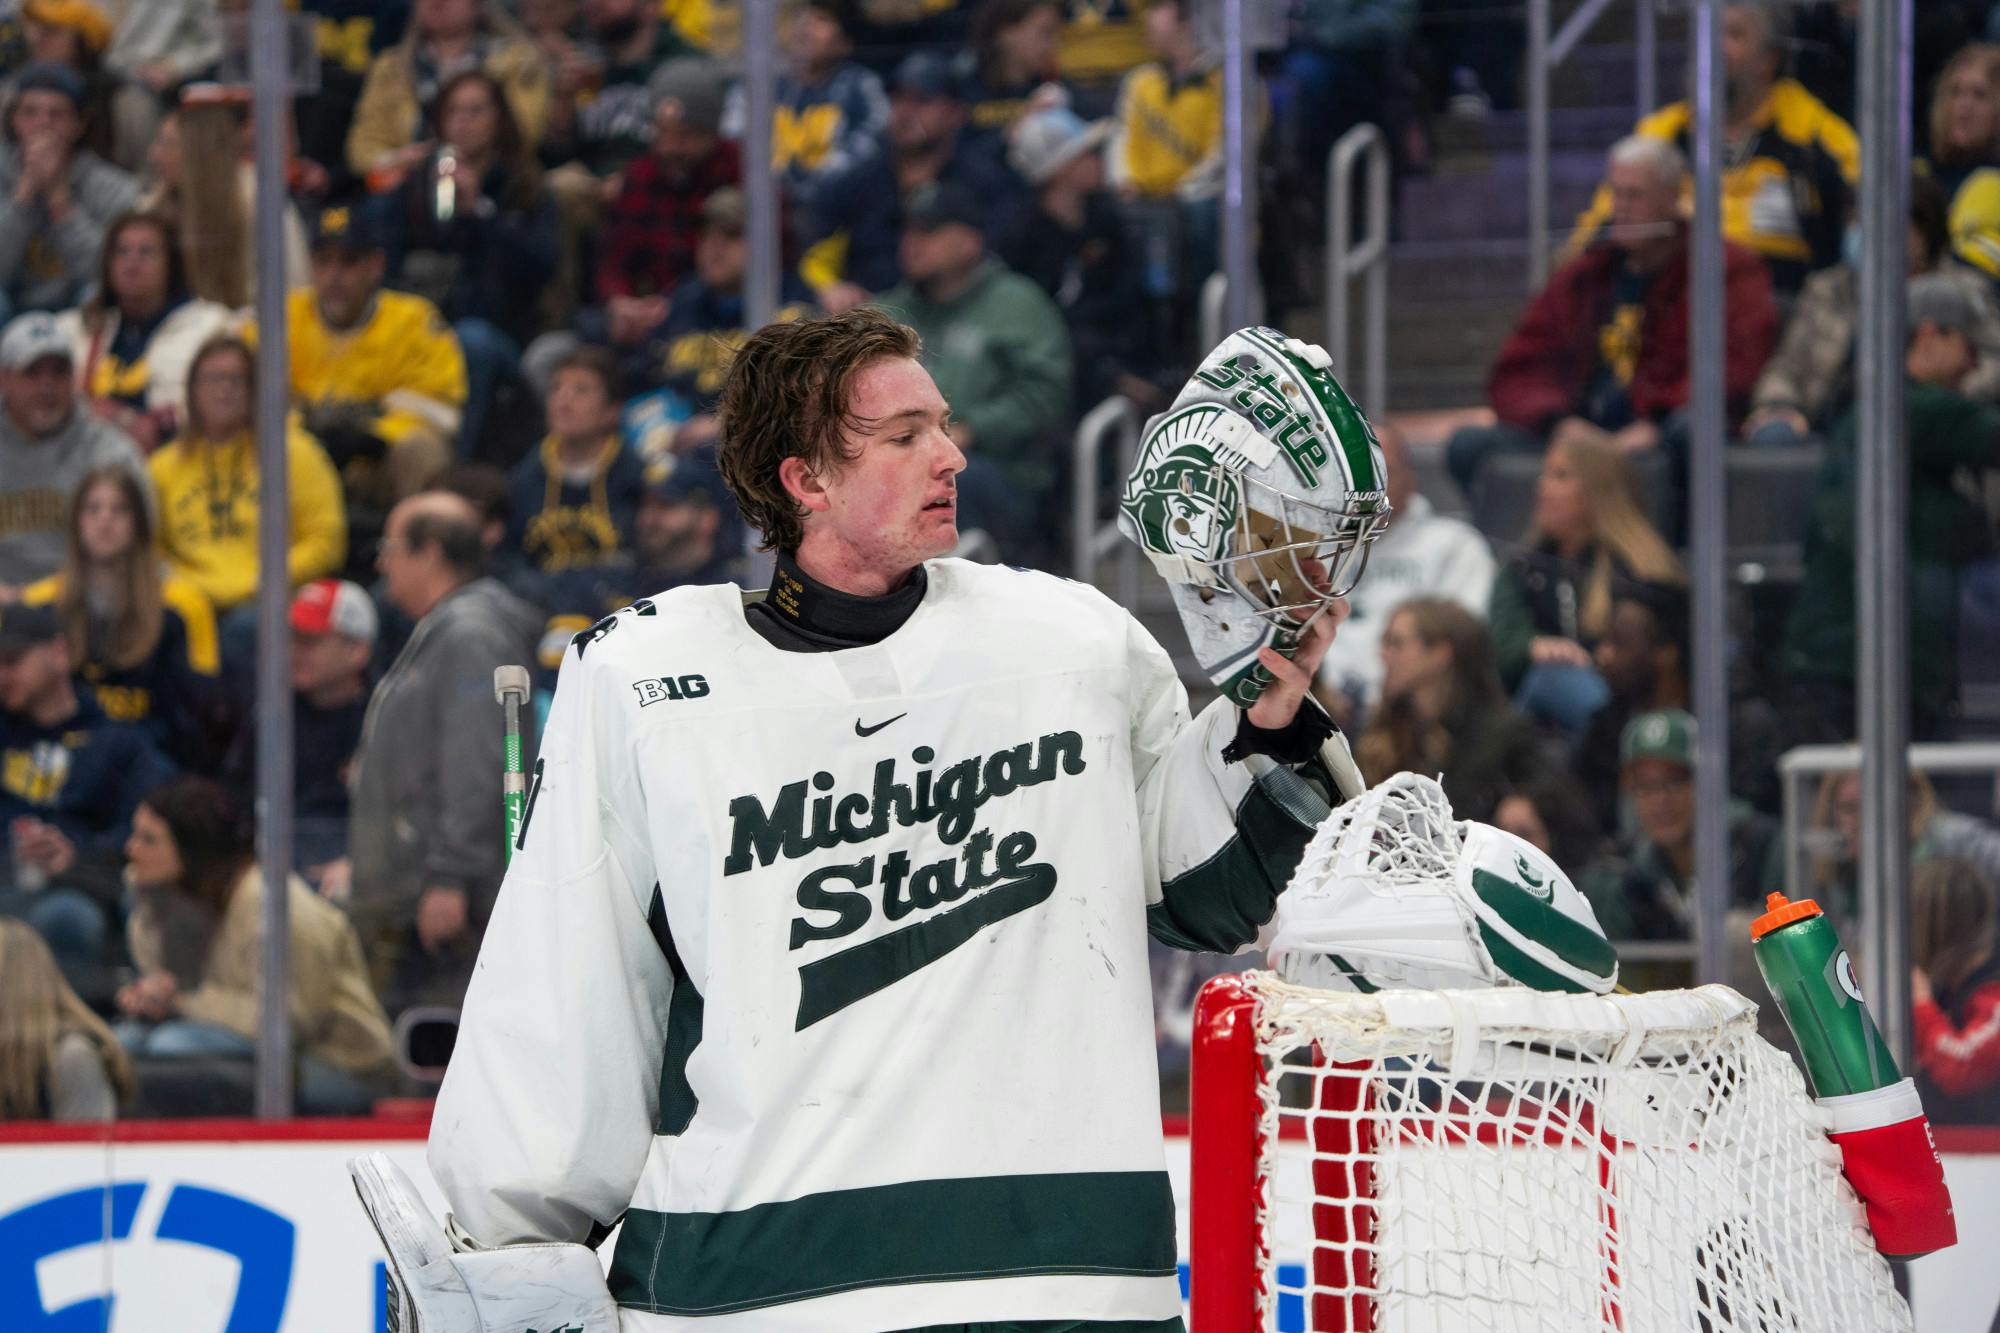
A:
[1821,1000]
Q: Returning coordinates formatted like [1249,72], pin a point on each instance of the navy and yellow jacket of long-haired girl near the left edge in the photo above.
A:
[173,692]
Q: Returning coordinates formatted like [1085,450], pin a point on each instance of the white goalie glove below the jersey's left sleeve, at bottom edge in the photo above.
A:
[435,1288]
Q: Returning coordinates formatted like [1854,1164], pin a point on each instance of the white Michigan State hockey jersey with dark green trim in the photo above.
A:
[829,970]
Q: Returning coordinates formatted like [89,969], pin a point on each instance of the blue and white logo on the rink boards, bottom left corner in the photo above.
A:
[187,1258]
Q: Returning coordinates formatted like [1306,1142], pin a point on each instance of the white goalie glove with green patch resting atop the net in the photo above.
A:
[1395,894]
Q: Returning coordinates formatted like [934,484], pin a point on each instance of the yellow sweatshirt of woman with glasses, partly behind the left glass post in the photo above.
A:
[209,527]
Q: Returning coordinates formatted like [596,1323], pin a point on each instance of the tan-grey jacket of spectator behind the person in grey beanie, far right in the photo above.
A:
[1813,369]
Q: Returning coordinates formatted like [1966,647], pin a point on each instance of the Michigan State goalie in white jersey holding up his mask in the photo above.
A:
[821,968]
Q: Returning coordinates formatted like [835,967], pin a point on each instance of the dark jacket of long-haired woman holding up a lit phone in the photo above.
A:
[489,263]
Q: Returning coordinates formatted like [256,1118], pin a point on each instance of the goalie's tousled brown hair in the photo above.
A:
[789,395]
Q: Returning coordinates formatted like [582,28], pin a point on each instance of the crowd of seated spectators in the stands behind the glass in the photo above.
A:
[515,263]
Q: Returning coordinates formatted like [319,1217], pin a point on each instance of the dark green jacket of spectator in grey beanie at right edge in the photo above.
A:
[1947,433]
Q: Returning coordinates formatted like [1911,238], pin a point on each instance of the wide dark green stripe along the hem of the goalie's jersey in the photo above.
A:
[1117,1224]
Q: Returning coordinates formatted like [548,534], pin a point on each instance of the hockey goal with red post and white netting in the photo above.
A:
[1467,1162]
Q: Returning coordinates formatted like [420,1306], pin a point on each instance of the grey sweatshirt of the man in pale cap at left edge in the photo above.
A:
[37,481]
